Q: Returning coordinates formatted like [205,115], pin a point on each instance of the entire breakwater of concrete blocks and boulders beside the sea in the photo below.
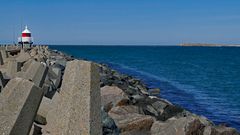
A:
[127,105]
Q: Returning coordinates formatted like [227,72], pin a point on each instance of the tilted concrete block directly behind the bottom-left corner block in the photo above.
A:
[37,73]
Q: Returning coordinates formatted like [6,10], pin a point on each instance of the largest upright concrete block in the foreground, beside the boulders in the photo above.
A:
[79,106]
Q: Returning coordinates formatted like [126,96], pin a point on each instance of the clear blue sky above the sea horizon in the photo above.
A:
[134,22]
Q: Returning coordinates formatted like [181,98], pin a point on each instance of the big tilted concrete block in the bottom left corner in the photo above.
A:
[19,103]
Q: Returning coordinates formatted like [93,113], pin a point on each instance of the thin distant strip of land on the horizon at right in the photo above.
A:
[212,45]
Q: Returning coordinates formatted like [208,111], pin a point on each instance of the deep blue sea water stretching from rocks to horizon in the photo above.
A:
[204,80]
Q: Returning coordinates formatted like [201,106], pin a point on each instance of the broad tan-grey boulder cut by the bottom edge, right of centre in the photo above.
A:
[181,126]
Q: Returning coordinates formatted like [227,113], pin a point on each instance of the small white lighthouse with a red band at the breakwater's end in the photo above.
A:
[26,38]
